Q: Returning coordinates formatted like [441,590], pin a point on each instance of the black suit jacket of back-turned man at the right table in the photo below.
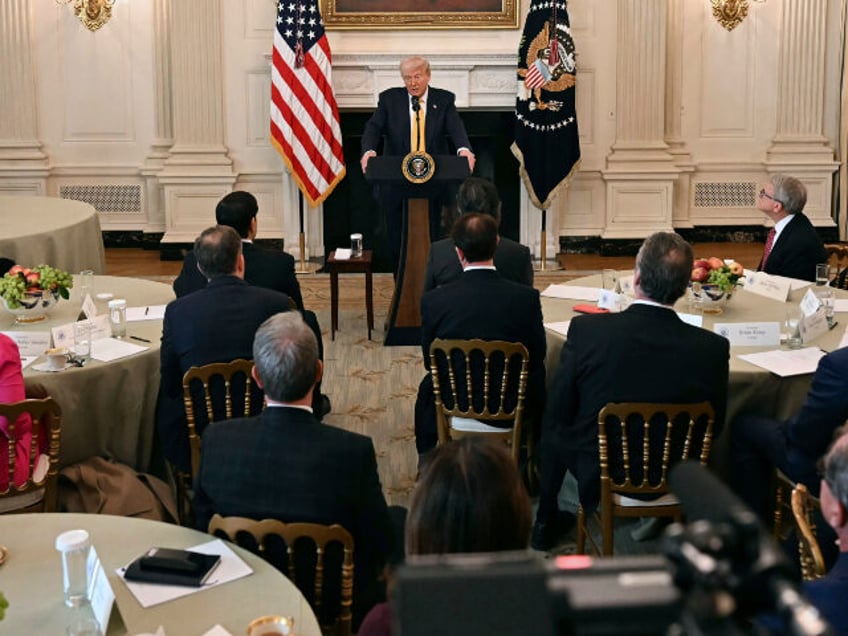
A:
[643,354]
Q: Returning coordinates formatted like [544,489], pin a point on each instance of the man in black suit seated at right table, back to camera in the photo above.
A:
[643,354]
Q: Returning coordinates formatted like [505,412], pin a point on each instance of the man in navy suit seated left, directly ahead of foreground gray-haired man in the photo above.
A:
[214,324]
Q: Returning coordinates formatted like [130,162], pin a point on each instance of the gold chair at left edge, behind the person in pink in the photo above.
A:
[38,492]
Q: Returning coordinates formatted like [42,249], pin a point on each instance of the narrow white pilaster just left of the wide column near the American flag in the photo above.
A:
[159,151]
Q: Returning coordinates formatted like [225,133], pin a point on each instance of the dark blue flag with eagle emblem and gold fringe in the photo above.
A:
[546,142]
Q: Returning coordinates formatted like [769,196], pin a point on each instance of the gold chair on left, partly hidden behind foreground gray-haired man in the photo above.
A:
[208,377]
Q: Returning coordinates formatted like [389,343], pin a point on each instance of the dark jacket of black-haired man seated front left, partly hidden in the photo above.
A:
[263,268]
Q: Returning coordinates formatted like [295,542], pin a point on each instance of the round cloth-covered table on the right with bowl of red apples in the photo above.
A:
[750,386]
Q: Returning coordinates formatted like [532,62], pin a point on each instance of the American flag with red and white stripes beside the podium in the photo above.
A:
[304,115]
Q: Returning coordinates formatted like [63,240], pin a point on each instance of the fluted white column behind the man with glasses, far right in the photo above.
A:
[799,146]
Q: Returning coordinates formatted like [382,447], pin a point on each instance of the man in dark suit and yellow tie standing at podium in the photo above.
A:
[414,118]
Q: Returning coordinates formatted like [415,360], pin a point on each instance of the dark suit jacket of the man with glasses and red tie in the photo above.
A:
[797,251]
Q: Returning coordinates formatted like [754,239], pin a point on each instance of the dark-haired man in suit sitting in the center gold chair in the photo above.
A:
[480,304]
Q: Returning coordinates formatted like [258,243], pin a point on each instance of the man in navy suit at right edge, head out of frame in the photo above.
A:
[761,443]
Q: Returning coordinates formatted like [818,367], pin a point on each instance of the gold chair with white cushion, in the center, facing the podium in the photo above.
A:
[482,380]
